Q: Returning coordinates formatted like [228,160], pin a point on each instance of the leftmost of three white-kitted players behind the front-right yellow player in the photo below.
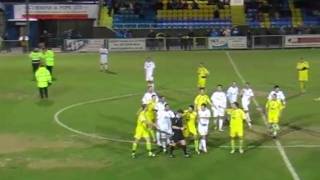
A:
[219,105]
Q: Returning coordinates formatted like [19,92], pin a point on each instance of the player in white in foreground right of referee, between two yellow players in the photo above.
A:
[204,115]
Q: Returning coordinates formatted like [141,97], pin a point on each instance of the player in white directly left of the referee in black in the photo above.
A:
[164,127]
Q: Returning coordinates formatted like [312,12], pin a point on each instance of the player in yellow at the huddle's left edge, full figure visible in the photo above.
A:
[142,131]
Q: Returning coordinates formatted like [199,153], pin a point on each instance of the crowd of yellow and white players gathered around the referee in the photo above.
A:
[158,123]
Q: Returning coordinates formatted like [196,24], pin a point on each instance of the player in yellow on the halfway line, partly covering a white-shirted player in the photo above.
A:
[273,109]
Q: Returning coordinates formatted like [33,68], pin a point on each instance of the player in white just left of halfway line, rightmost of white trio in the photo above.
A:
[246,95]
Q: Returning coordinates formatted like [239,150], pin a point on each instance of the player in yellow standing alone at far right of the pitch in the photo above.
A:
[303,73]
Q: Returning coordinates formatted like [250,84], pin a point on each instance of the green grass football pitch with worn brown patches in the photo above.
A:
[84,130]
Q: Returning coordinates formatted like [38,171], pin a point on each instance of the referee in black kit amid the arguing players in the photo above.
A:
[178,138]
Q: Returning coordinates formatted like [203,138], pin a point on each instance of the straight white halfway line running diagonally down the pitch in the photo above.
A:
[279,146]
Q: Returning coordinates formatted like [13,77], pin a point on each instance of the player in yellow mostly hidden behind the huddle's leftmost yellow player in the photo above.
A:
[151,116]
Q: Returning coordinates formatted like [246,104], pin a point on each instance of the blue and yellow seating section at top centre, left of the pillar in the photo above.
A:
[172,14]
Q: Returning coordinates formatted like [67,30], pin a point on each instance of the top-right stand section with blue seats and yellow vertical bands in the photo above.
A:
[282,13]
